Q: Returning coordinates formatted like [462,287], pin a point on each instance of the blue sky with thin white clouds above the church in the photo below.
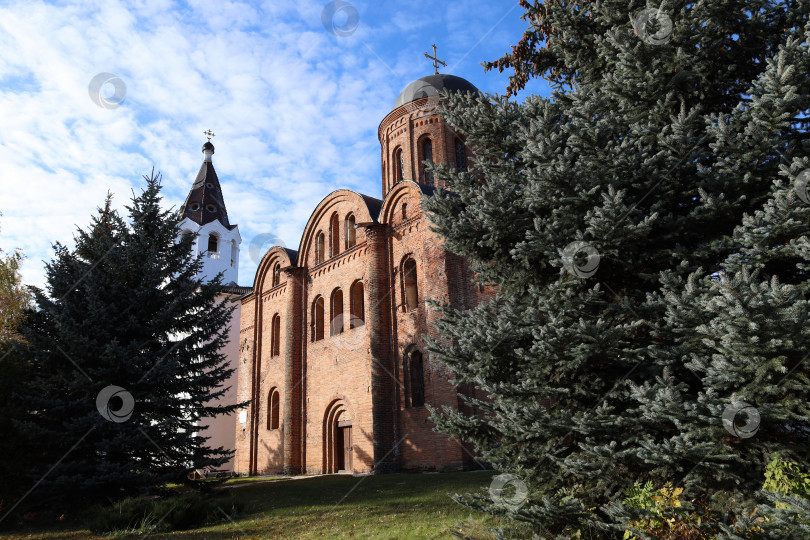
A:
[295,104]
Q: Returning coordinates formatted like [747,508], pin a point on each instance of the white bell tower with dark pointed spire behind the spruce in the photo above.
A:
[204,214]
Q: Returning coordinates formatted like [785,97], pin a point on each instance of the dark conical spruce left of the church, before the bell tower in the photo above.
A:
[124,350]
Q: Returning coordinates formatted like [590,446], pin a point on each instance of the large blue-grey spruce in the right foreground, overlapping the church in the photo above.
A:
[646,227]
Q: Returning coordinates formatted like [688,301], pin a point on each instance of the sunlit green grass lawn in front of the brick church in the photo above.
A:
[385,506]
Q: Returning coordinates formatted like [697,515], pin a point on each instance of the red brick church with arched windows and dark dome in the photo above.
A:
[332,352]
